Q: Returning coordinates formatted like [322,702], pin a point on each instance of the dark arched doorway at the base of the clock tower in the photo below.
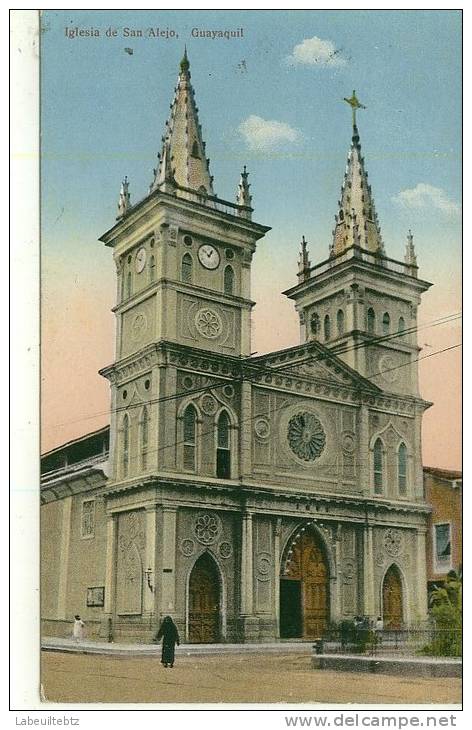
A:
[204,602]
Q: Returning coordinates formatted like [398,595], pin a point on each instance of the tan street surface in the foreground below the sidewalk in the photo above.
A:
[236,678]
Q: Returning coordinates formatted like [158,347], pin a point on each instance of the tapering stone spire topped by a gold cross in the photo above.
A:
[356,221]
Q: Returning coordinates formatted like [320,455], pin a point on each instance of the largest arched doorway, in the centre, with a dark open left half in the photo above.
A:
[304,588]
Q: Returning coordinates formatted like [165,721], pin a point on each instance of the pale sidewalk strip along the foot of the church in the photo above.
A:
[87,646]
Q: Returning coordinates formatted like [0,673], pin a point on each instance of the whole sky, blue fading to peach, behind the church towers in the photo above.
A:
[271,99]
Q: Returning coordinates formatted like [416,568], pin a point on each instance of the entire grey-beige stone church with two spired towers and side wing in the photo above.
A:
[251,498]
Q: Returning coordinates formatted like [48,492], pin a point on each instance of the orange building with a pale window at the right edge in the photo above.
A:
[443,491]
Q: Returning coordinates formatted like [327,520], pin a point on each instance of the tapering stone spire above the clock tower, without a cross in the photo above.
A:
[183,148]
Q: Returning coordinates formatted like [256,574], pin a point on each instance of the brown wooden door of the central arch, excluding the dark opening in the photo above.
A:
[308,565]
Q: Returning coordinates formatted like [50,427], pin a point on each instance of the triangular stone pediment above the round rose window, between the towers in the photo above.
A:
[315,362]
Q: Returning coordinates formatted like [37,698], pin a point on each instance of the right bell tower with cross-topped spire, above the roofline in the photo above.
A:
[360,303]
